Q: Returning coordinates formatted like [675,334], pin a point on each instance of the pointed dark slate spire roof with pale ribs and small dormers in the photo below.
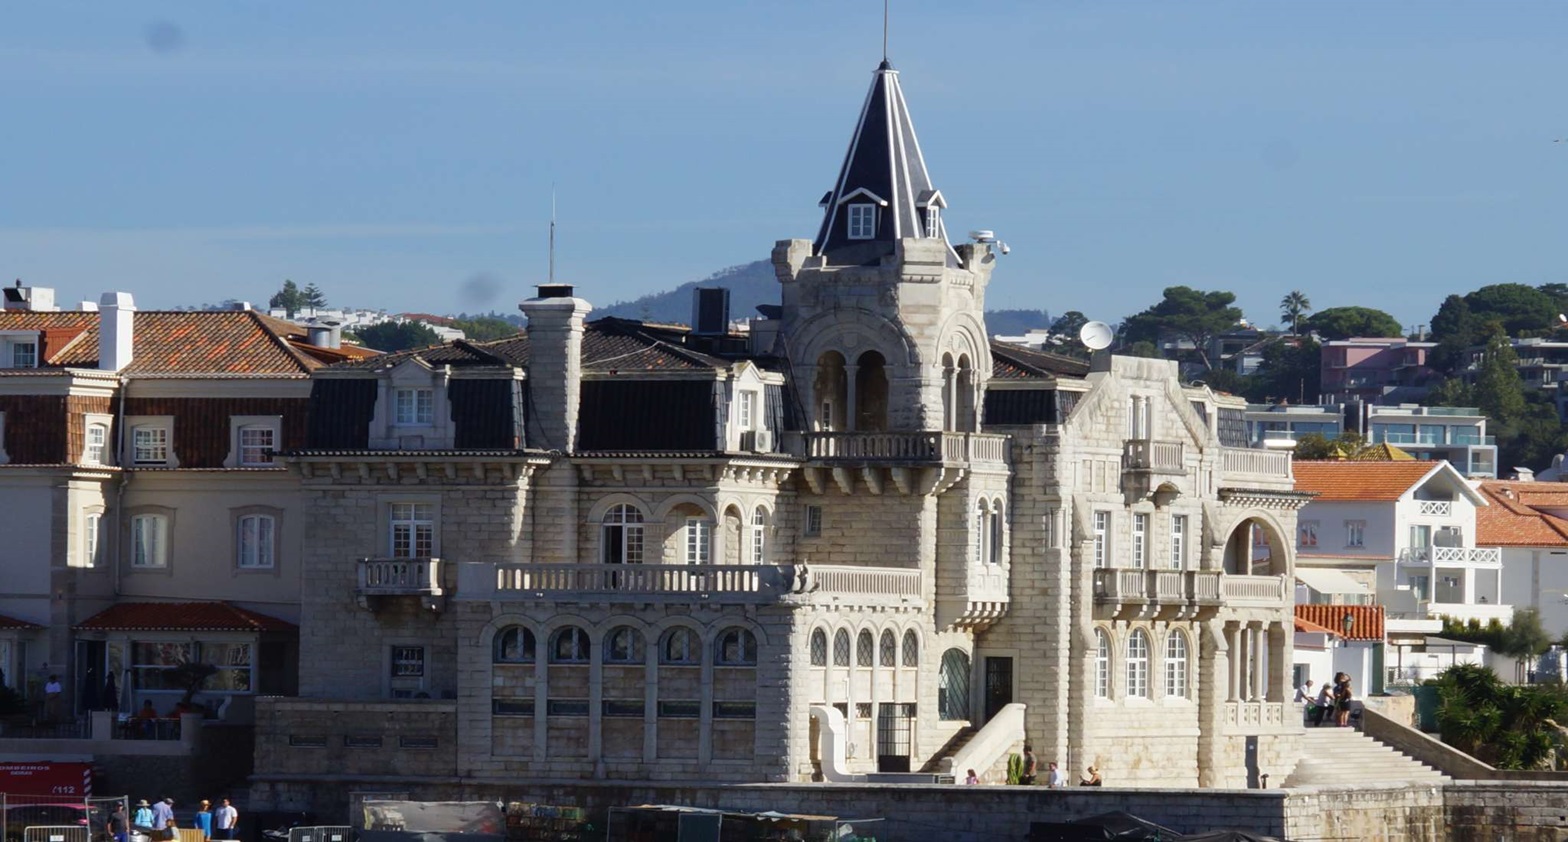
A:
[884,167]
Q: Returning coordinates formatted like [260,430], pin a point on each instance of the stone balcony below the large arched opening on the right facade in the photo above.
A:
[1180,595]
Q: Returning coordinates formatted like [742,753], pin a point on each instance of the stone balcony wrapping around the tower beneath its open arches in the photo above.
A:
[924,462]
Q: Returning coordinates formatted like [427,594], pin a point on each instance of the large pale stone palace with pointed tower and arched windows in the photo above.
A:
[857,539]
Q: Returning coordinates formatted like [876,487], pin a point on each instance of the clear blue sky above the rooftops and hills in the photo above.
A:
[402,154]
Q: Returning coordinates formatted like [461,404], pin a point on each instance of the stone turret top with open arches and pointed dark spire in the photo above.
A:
[884,318]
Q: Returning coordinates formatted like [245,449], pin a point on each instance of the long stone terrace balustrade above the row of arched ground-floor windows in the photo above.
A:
[694,584]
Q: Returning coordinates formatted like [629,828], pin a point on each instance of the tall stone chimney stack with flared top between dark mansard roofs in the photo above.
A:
[556,339]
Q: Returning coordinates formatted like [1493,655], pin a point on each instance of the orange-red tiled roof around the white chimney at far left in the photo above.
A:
[205,343]
